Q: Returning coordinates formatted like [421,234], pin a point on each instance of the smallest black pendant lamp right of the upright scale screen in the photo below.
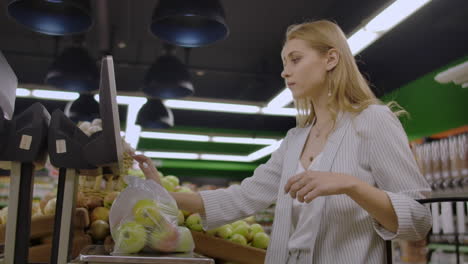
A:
[155,115]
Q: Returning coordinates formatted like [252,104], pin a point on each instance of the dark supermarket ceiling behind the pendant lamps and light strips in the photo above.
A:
[245,67]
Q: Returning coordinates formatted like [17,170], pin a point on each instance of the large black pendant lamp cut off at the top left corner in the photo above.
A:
[52,17]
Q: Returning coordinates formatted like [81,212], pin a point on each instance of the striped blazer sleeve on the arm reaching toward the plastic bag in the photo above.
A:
[255,193]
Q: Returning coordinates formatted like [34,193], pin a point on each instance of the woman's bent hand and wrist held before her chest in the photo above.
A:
[309,185]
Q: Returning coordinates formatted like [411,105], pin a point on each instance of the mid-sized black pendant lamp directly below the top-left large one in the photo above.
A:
[74,70]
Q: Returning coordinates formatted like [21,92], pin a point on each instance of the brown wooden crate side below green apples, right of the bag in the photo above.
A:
[225,250]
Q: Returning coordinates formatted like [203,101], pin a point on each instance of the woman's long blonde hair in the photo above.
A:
[349,90]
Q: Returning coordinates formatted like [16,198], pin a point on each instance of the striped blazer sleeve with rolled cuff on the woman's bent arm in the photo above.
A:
[395,171]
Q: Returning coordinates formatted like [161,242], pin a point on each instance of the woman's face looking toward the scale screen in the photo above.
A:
[304,69]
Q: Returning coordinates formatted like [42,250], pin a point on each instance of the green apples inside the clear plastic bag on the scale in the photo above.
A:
[149,229]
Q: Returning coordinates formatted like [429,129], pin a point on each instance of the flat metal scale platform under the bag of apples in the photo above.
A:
[96,254]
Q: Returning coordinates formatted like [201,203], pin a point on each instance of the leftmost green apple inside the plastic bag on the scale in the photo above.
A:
[130,237]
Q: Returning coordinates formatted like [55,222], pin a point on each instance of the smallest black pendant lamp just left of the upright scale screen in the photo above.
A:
[85,108]
